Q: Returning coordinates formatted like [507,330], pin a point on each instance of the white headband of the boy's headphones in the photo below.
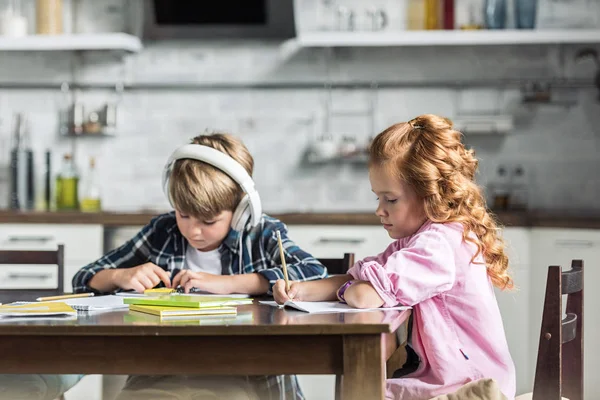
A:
[221,161]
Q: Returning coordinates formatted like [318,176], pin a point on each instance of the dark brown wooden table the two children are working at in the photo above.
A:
[261,340]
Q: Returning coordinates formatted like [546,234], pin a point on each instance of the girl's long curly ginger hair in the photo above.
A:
[428,154]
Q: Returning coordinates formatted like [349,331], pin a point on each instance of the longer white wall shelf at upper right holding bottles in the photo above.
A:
[445,38]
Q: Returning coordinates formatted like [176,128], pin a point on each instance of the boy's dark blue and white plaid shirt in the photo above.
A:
[161,243]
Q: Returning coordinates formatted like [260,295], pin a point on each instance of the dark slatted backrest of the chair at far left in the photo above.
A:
[47,257]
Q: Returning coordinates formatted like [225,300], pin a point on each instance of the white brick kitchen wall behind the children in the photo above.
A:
[557,146]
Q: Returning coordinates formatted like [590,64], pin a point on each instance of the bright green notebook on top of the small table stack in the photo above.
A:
[188,301]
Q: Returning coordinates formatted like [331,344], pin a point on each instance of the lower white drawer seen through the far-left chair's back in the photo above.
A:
[28,276]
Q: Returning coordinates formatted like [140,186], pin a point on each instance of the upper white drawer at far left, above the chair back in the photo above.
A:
[82,242]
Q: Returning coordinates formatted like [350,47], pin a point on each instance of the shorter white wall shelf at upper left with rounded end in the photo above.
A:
[99,41]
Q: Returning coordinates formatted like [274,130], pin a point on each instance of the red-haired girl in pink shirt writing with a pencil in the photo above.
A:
[444,263]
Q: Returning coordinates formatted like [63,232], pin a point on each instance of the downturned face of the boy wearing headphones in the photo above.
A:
[205,235]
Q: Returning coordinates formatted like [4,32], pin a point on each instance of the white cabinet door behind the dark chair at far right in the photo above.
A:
[559,247]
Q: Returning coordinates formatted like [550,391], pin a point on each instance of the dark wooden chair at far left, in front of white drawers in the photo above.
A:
[47,257]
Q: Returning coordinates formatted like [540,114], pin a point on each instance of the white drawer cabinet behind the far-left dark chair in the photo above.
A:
[83,244]
